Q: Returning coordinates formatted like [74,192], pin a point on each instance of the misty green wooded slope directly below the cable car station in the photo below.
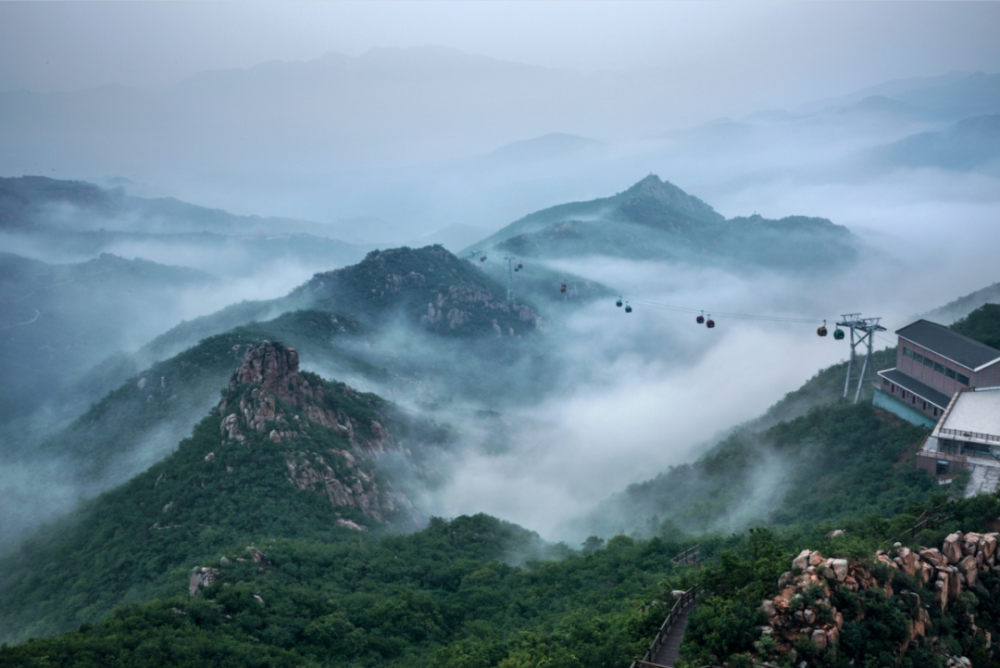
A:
[837,460]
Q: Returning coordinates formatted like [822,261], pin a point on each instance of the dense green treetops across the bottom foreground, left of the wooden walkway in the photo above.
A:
[439,597]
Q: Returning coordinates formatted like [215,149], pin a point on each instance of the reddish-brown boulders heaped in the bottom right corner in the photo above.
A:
[802,607]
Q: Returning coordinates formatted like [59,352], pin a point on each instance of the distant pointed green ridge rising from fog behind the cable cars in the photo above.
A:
[655,219]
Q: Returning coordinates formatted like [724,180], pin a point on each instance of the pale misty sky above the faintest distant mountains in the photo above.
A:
[744,55]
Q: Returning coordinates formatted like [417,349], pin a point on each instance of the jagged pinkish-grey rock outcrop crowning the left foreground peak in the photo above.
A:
[269,395]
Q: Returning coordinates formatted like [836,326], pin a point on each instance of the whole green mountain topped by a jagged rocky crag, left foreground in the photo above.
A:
[298,457]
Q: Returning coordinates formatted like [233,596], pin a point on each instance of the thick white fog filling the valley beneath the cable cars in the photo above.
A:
[631,408]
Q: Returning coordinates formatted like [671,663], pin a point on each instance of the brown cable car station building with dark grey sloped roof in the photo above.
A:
[934,364]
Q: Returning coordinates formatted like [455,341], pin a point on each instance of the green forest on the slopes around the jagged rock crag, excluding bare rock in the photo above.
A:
[126,544]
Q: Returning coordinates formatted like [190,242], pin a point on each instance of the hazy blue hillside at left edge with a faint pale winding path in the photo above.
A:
[52,329]
